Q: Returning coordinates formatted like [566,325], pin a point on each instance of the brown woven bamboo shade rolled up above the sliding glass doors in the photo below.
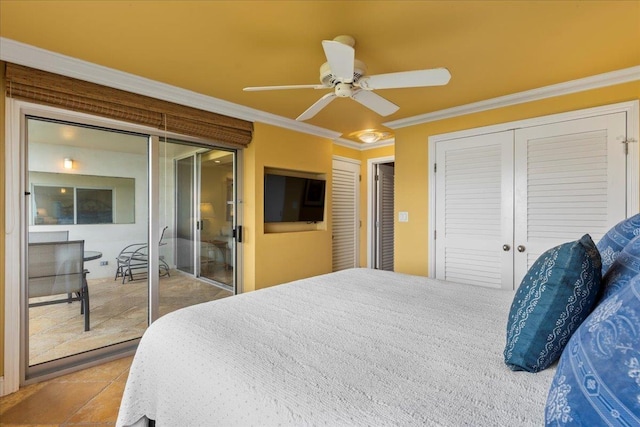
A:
[77,95]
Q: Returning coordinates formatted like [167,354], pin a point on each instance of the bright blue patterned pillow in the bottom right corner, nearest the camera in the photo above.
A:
[598,378]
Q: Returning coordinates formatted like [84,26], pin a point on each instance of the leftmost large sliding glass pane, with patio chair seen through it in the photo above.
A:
[87,200]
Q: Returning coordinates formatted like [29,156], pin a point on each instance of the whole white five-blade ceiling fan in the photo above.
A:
[348,78]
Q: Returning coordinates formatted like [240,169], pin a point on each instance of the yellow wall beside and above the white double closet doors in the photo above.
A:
[411,179]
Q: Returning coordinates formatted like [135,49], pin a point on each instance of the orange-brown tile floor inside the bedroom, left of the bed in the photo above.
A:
[90,397]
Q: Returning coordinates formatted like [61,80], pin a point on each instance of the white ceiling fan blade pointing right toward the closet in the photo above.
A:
[418,78]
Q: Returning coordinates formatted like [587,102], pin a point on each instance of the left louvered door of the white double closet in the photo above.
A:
[474,210]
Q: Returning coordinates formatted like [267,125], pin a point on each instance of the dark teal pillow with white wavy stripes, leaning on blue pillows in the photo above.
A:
[555,296]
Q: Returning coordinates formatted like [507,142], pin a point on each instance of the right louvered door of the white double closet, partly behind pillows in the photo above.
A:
[570,180]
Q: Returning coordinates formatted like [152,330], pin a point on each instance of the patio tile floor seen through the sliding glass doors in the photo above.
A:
[118,313]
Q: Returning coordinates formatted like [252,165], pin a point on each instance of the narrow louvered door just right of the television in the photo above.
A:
[344,193]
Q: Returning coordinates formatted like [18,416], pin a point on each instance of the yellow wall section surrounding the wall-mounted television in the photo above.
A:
[273,258]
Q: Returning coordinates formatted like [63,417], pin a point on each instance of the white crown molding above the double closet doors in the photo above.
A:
[593,82]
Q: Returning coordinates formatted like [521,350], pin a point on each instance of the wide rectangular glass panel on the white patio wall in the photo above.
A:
[81,199]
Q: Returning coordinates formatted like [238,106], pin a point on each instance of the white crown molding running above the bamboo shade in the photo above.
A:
[42,59]
